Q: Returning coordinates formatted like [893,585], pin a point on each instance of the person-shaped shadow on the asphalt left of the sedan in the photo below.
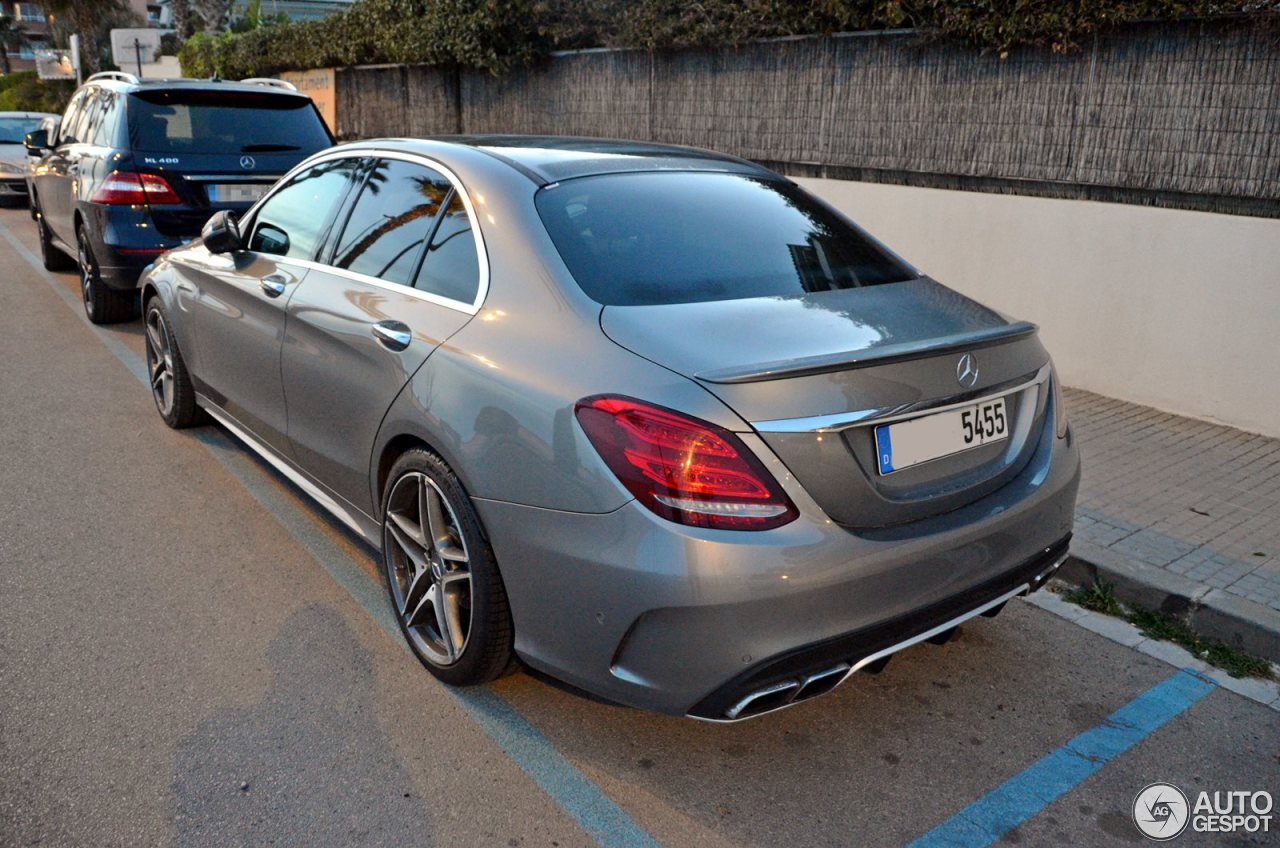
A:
[309,764]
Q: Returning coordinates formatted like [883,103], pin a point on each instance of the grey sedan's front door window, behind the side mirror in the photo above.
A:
[291,222]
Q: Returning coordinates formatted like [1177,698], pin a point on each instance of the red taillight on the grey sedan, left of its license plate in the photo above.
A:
[684,469]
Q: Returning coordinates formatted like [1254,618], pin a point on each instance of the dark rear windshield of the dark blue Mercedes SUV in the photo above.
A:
[218,122]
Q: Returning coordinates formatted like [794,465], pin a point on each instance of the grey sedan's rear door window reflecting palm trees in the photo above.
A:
[392,221]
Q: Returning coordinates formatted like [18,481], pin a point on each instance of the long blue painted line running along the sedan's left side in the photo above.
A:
[583,800]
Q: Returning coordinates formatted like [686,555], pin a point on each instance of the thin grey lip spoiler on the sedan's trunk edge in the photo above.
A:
[847,361]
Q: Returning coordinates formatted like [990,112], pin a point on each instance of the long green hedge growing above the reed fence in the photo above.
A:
[495,37]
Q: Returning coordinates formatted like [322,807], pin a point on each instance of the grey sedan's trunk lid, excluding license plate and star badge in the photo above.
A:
[816,375]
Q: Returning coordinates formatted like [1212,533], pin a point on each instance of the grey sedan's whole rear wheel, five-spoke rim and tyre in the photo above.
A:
[445,585]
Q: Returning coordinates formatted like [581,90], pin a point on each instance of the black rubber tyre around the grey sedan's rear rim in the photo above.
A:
[488,651]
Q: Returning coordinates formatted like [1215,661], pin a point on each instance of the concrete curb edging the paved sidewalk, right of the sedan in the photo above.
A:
[1214,613]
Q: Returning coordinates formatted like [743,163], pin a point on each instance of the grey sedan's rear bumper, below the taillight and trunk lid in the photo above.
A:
[688,622]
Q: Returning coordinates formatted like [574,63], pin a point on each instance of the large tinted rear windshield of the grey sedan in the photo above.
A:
[647,239]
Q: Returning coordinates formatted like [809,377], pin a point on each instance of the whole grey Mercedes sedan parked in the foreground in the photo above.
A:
[652,421]
